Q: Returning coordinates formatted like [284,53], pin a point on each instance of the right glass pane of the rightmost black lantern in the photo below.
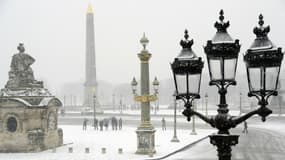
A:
[271,78]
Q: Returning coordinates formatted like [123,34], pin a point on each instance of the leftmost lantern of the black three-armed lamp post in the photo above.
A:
[187,69]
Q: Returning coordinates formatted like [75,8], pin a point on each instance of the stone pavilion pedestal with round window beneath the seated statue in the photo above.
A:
[29,121]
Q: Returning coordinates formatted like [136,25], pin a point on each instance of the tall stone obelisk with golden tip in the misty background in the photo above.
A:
[90,86]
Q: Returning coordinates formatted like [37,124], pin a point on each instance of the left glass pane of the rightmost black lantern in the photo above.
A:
[255,79]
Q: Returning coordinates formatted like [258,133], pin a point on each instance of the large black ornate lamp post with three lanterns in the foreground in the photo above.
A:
[262,60]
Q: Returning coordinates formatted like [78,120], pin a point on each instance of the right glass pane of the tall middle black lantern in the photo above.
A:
[230,68]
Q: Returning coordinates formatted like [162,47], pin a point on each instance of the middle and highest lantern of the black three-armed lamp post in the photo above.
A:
[222,54]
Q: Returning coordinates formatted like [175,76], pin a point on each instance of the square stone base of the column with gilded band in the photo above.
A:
[145,141]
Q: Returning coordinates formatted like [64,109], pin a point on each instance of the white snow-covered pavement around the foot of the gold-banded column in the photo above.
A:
[112,141]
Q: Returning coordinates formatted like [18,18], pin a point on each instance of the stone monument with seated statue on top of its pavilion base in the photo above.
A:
[28,112]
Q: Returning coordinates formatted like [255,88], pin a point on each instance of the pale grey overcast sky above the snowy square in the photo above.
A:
[53,32]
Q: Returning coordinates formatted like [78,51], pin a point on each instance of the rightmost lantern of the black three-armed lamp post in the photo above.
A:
[263,61]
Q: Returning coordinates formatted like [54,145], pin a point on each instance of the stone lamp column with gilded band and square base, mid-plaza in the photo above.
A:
[145,131]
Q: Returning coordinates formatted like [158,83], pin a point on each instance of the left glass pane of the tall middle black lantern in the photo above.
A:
[215,69]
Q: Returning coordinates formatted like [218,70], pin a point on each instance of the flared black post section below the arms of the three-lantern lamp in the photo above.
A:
[224,143]
